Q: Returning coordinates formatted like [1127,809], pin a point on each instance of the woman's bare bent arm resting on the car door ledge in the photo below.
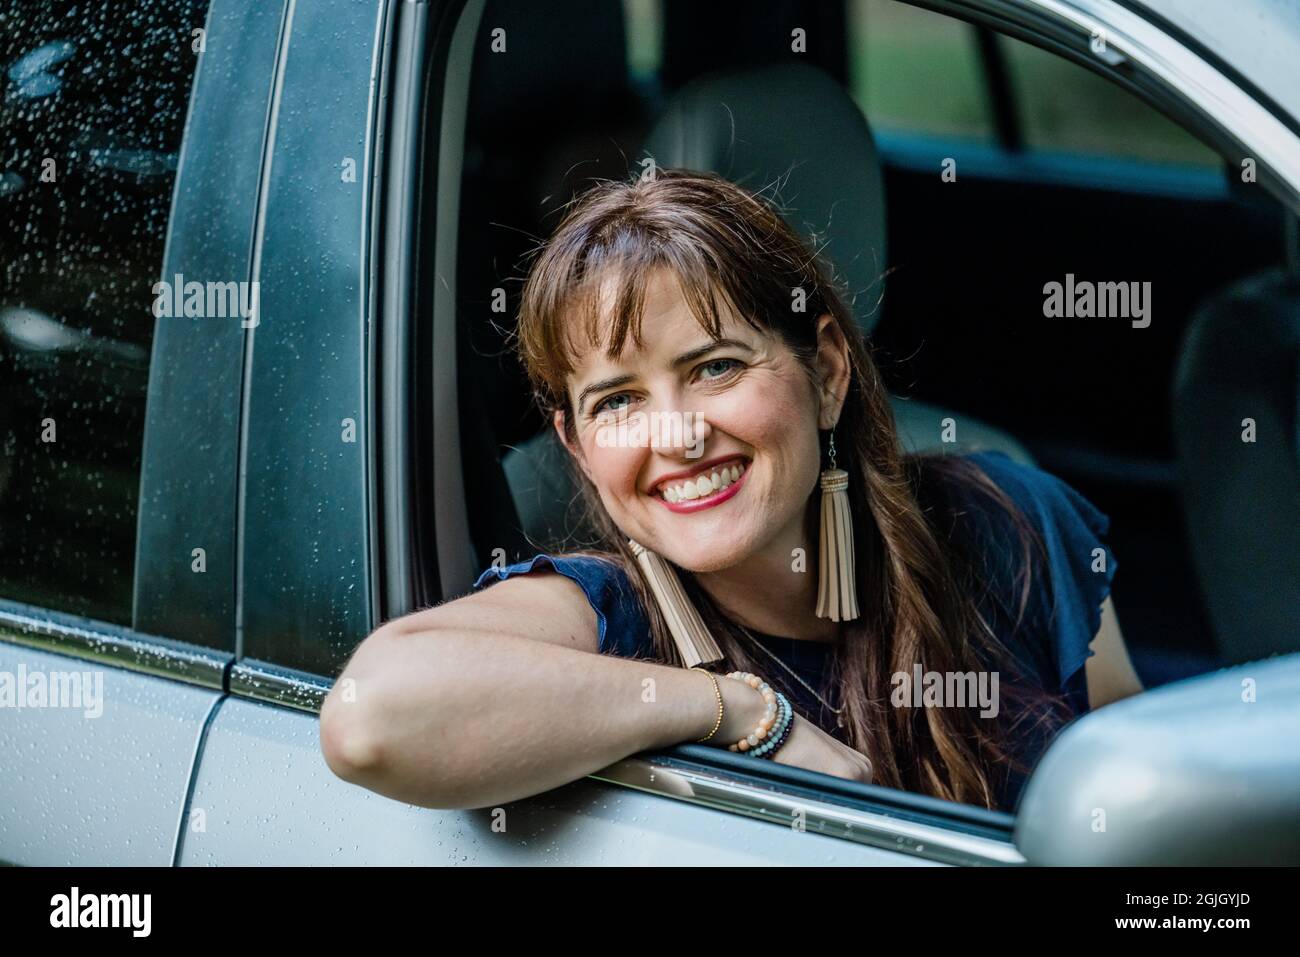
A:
[502,695]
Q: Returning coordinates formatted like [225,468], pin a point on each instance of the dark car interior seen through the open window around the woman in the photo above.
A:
[1061,172]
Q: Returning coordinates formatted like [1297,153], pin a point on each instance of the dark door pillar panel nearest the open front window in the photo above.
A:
[306,519]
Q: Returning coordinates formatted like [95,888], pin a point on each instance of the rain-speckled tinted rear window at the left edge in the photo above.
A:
[93,112]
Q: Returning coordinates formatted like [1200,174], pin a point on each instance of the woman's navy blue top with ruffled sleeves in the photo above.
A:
[1063,616]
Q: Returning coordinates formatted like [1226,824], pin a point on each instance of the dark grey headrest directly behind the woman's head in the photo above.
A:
[794,127]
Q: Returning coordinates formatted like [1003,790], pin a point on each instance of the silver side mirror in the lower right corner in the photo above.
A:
[1203,772]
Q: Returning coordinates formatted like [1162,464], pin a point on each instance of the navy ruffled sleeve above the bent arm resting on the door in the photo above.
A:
[625,629]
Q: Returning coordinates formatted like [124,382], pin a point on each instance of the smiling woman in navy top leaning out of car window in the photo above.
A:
[686,301]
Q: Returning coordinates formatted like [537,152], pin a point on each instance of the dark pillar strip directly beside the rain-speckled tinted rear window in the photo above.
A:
[189,488]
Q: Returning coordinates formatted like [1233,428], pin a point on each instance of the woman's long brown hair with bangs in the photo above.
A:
[918,597]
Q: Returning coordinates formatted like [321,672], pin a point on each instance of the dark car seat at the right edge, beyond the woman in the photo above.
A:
[1241,361]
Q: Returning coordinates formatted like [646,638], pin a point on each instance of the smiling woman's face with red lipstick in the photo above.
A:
[704,452]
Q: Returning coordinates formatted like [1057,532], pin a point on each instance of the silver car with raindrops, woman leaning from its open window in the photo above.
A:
[255,397]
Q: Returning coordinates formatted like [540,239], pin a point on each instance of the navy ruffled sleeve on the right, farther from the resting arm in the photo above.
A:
[1080,566]
